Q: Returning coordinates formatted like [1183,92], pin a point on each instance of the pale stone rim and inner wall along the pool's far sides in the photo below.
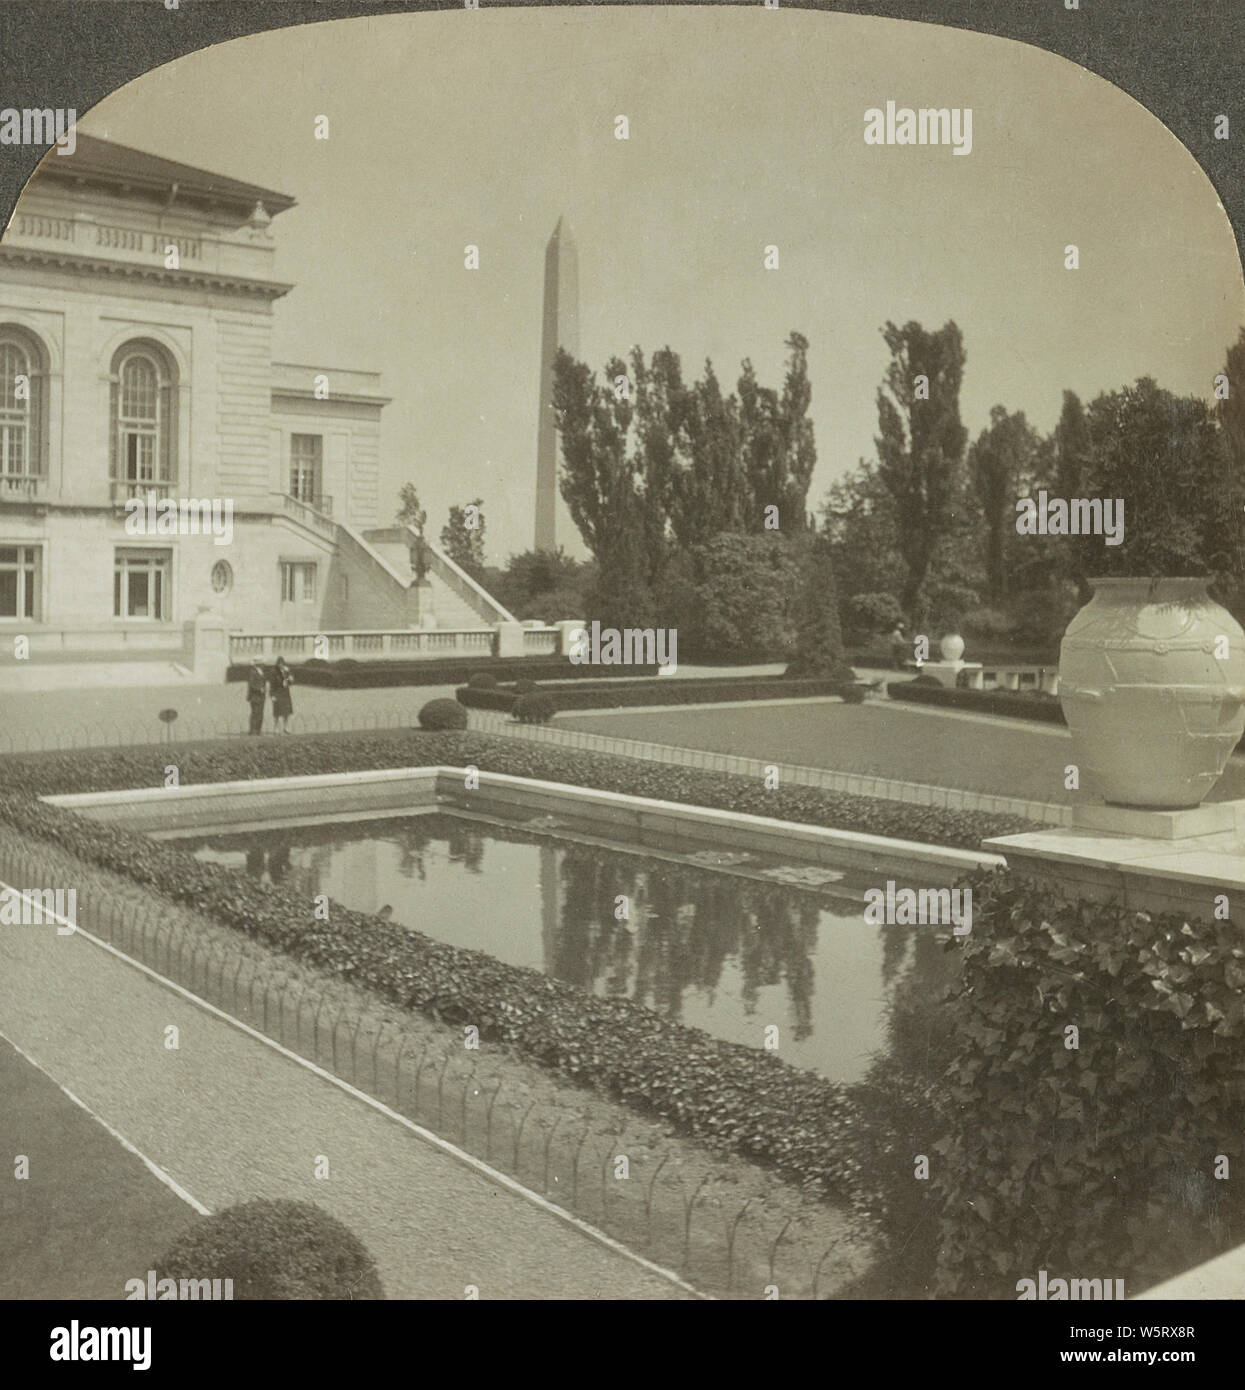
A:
[397,790]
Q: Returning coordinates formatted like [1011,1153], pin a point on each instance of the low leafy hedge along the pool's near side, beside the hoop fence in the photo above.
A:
[743,1099]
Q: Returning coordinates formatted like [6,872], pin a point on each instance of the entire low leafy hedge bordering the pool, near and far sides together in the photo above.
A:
[743,1099]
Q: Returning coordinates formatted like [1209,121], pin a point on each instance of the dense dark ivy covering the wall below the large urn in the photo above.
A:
[1093,1160]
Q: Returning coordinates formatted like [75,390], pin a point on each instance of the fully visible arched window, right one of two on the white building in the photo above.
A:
[144,419]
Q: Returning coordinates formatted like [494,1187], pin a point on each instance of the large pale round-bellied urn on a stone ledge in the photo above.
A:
[1153,685]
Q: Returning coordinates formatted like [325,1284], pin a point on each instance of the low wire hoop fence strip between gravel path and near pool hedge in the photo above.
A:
[689,1218]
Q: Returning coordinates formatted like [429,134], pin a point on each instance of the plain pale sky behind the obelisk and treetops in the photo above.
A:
[747,130]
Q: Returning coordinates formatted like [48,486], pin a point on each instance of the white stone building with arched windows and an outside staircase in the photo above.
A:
[137,309]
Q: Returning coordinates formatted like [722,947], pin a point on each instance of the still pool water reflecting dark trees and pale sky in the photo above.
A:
[733,953]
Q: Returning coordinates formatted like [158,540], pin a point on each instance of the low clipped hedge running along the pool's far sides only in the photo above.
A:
[52,774]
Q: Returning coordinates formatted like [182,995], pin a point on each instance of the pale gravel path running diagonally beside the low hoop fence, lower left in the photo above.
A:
[230,1118]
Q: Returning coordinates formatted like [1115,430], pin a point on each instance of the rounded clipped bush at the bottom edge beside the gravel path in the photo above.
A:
[276,1250]
